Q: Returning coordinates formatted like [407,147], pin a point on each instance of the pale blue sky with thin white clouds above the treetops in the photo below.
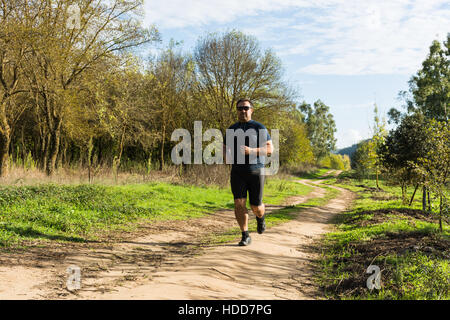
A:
[350,54]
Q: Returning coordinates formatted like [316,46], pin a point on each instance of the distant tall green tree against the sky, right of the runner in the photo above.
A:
[321,128]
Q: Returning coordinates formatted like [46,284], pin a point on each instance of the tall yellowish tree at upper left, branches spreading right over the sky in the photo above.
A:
[62,52]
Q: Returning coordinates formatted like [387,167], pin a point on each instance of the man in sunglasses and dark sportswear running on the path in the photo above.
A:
[246,144]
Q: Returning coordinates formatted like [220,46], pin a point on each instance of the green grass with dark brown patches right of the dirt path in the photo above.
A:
[379,230]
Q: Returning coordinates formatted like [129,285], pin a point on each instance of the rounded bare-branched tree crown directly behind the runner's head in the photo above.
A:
[231,66]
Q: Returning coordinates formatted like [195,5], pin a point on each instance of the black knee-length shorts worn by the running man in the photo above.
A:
[251,181]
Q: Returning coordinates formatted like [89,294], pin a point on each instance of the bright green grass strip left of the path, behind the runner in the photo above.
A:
[77,213]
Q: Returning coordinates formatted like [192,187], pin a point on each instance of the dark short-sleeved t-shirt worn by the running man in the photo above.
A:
[252,134]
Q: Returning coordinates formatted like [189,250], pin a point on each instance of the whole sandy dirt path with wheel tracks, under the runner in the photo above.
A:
[170,261]
